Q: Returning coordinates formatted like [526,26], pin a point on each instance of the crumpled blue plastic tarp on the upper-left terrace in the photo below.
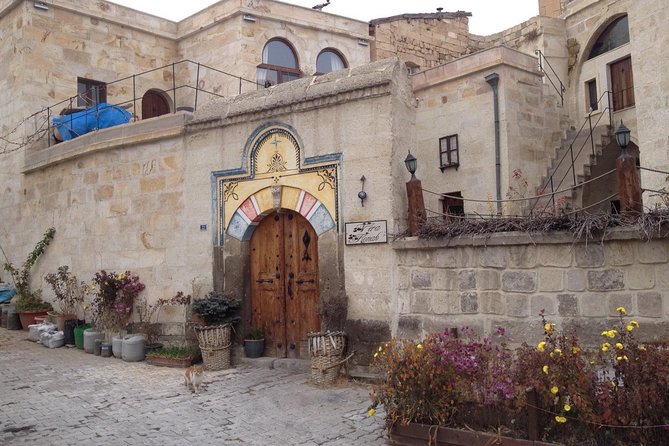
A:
[99,116]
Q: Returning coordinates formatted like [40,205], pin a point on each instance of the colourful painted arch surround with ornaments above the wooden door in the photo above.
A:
[275,175]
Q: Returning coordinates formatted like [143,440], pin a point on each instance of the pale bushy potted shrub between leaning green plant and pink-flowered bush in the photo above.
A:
[68,293]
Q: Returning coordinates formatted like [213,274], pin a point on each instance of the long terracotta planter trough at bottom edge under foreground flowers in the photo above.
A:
[415,434]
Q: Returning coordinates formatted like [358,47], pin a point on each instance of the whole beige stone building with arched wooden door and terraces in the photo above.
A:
[257,125]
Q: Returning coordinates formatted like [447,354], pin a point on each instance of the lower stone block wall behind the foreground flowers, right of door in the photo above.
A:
[507,279]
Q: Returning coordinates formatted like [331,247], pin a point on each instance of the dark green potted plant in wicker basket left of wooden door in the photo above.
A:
[218,312]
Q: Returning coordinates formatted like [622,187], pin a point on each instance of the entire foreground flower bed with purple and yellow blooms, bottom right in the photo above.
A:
[616,396]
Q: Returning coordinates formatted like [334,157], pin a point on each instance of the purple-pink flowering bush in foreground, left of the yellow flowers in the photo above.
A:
[442,379]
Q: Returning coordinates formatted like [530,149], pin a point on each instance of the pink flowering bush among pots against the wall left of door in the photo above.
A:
[114,298]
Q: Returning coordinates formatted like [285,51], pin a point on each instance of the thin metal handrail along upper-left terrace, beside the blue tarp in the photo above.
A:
[132,103]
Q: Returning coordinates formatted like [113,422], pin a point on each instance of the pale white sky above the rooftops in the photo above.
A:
[488,16]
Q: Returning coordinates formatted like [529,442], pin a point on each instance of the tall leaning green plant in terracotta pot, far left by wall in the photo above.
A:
[29,303]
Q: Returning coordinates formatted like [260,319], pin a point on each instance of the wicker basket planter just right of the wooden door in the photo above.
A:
[326,351]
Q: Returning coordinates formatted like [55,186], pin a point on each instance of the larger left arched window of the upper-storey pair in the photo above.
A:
[279,64]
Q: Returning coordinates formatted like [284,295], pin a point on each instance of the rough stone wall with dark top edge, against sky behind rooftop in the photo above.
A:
[421,40]
